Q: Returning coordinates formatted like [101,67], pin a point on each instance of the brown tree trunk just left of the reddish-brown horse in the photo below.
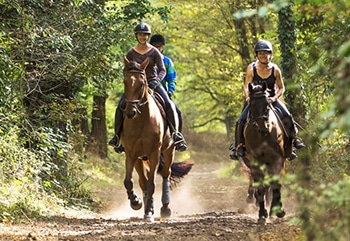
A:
[98,136]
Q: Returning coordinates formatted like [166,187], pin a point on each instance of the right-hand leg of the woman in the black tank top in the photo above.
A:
[290,124]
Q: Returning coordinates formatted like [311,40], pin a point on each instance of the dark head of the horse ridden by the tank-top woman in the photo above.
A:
[259,106]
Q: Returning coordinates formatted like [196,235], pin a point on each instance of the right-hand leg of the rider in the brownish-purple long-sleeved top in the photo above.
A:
[180,143]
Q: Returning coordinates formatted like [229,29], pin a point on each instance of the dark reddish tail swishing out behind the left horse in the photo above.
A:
[178,170]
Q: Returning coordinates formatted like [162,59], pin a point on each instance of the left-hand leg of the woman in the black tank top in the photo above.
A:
[238,150]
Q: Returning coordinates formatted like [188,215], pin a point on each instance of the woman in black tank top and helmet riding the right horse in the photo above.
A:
[263,70]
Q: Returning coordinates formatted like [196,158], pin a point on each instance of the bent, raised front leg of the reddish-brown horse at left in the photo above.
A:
[135,201]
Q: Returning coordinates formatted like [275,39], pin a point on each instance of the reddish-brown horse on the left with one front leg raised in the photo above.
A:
[147,141]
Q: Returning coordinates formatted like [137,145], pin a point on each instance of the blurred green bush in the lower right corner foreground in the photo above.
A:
[325,204]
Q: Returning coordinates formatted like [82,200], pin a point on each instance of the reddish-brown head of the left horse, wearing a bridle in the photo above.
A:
[135,86]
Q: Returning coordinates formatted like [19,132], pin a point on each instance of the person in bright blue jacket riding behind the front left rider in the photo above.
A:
[169,81]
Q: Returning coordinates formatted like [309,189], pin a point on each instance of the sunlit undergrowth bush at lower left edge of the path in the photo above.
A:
[30,185]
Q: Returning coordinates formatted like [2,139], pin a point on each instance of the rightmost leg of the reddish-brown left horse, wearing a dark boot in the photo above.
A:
[165,211]
